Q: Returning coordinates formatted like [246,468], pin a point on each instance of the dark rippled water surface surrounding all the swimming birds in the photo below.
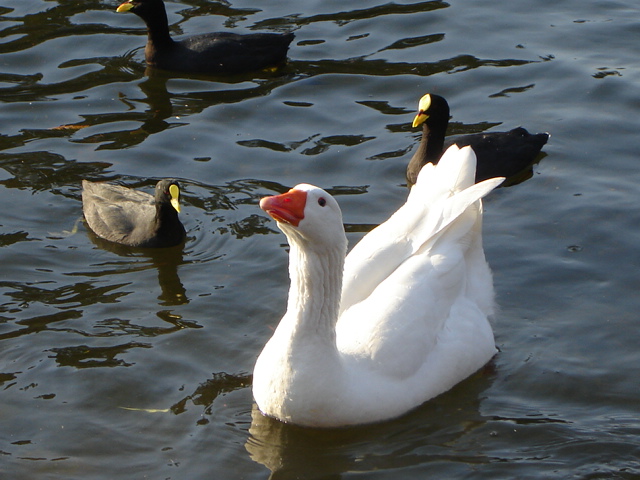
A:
[120,363]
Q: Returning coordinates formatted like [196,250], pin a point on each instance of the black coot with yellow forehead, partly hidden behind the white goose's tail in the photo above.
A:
[499,154]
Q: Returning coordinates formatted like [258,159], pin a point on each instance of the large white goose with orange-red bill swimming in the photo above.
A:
[401,320]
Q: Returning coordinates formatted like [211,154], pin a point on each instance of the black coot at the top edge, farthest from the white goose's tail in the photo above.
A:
[209,53]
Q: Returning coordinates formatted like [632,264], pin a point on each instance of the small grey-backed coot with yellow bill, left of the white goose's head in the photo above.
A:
[134,218]
